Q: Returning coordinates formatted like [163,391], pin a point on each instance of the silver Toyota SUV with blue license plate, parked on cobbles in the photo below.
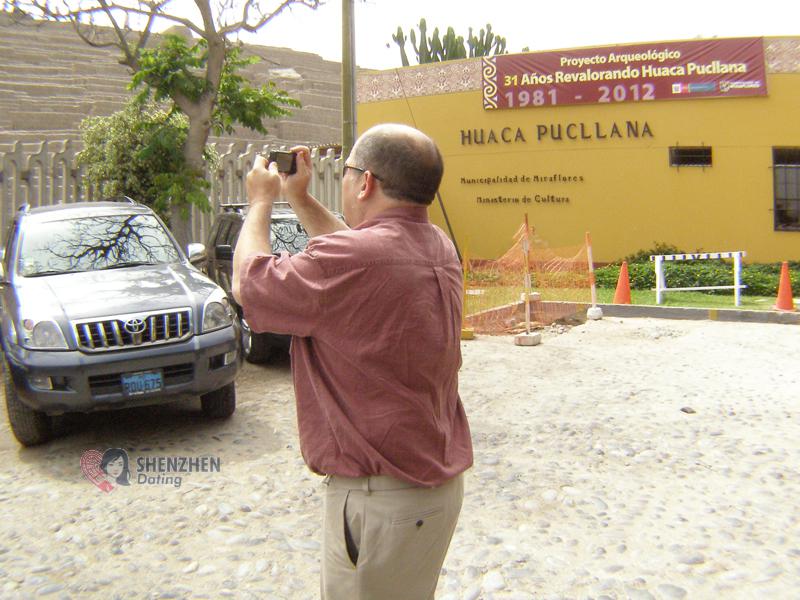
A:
[102,310]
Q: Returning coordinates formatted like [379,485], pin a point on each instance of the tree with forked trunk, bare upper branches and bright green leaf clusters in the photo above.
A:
[199,78]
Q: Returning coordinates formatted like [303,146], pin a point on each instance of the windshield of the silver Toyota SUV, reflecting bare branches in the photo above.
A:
[93,244]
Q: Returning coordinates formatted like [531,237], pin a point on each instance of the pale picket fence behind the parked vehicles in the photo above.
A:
[47,173]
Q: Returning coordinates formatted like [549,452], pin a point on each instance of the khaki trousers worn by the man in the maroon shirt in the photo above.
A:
[386,539]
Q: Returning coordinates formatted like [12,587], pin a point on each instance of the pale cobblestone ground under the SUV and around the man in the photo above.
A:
[630,458]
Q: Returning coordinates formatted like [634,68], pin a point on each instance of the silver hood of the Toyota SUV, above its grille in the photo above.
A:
[117,291]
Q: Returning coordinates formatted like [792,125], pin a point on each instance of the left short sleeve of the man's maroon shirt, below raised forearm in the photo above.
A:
[282,294]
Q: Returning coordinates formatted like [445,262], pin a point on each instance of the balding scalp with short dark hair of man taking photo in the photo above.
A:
[405,161]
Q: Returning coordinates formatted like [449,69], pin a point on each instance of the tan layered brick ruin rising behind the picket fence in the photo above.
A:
[50,80]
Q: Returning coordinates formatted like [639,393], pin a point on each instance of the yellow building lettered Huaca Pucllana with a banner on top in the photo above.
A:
[694,144]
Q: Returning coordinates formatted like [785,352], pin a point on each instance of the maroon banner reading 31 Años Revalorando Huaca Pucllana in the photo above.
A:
[635,73]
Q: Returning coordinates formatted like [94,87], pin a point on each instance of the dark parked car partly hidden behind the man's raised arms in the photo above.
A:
[288,235]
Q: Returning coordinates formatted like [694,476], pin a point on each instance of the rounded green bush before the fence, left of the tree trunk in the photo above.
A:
[138,152]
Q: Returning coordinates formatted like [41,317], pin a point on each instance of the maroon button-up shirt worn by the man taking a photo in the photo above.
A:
[375,313]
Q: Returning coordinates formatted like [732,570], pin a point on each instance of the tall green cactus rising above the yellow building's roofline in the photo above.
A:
[448,47]
